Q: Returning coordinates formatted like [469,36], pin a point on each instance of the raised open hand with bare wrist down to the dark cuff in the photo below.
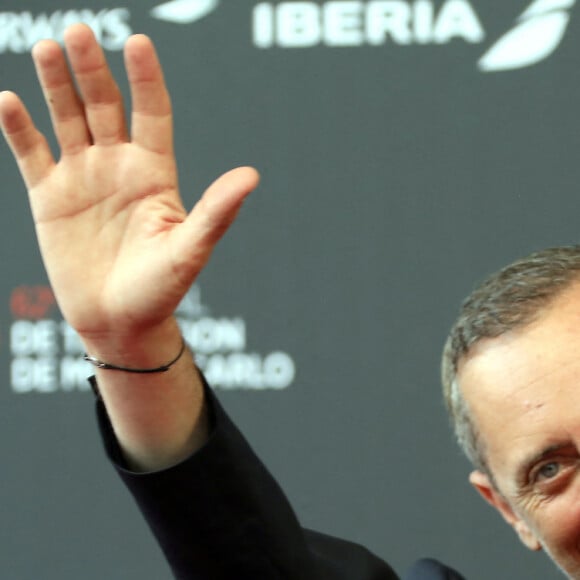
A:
[119,247]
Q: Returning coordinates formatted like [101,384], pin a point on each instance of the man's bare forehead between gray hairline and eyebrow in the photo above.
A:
[522,388]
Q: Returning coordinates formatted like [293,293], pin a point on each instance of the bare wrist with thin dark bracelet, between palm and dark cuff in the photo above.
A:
[159,418]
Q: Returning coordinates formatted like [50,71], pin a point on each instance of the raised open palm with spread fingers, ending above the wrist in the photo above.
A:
[118,245]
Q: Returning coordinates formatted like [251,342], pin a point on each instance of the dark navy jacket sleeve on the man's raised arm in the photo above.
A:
[219,515]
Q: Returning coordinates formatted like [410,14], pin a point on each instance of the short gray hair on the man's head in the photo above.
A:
[510,299]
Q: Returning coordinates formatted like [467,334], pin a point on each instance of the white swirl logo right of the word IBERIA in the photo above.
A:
[537,34]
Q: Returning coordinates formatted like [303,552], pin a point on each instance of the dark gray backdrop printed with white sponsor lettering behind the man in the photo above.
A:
[396,173]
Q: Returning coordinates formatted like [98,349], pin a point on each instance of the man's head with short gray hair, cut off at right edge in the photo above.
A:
[511,376]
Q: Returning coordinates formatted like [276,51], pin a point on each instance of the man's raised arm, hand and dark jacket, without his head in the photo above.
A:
[121,251]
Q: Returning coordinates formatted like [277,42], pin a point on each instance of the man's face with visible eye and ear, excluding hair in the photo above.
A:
[524,391]
